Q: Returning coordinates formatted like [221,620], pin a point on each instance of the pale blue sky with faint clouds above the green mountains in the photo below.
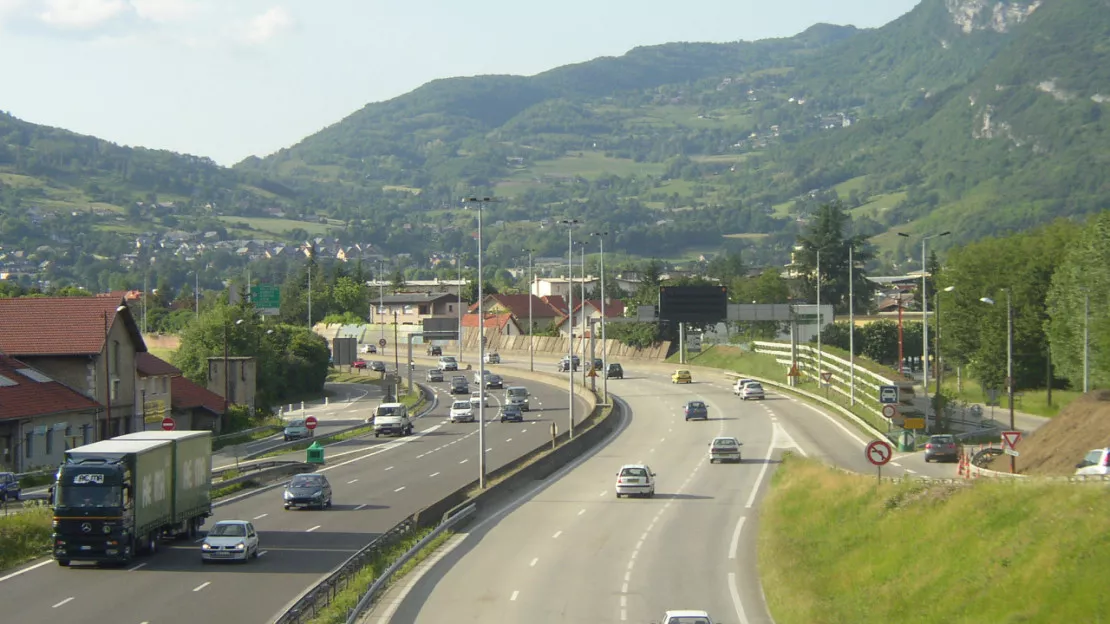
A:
[228,79]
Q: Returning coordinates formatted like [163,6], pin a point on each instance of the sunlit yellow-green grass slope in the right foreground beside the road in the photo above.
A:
[914,552]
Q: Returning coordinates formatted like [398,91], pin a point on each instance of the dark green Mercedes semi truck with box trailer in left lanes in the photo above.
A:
[116,499]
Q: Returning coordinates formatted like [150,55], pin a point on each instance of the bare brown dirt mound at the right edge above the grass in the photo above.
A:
[1055,449]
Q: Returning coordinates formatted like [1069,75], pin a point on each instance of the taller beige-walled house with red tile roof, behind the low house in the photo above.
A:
[88,344]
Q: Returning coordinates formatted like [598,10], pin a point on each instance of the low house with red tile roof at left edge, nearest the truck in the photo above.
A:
[41,418]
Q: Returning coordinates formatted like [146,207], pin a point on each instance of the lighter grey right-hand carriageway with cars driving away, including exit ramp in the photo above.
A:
[574,552]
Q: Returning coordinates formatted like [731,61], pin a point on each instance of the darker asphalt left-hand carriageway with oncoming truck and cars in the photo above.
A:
[377,484]
